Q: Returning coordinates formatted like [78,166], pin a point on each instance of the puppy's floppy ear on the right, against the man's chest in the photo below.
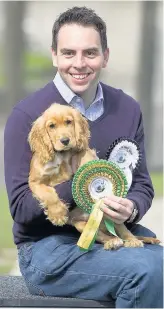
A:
[81,130]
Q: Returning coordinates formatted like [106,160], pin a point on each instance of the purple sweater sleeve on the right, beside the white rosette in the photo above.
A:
[141,191]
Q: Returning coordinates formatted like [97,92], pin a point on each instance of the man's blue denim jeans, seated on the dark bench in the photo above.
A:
[132,277]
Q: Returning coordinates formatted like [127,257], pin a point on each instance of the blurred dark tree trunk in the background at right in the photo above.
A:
[146,69]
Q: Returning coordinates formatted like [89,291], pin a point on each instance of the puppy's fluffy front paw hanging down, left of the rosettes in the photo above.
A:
[58,214]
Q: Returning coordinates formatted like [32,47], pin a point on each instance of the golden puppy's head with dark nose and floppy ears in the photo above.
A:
[59,128]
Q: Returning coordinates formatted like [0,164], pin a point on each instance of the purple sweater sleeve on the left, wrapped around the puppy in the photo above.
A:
[24,207]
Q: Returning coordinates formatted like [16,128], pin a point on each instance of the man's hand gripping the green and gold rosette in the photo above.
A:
[118,209]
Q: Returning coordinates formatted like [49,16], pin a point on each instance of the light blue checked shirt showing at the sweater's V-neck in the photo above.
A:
[93,112]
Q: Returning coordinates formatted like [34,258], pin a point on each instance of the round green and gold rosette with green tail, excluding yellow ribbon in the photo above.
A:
[95,180]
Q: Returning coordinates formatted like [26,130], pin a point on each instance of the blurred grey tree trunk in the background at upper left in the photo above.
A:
[14,45]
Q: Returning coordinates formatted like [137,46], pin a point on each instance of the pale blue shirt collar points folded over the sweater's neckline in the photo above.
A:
[68,95]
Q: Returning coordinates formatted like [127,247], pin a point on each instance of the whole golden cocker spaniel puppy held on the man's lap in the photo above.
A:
[51,164]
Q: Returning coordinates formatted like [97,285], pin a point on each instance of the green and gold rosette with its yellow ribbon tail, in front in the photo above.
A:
[93,181]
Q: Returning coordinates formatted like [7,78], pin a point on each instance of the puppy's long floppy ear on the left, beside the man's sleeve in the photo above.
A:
[40,142]
